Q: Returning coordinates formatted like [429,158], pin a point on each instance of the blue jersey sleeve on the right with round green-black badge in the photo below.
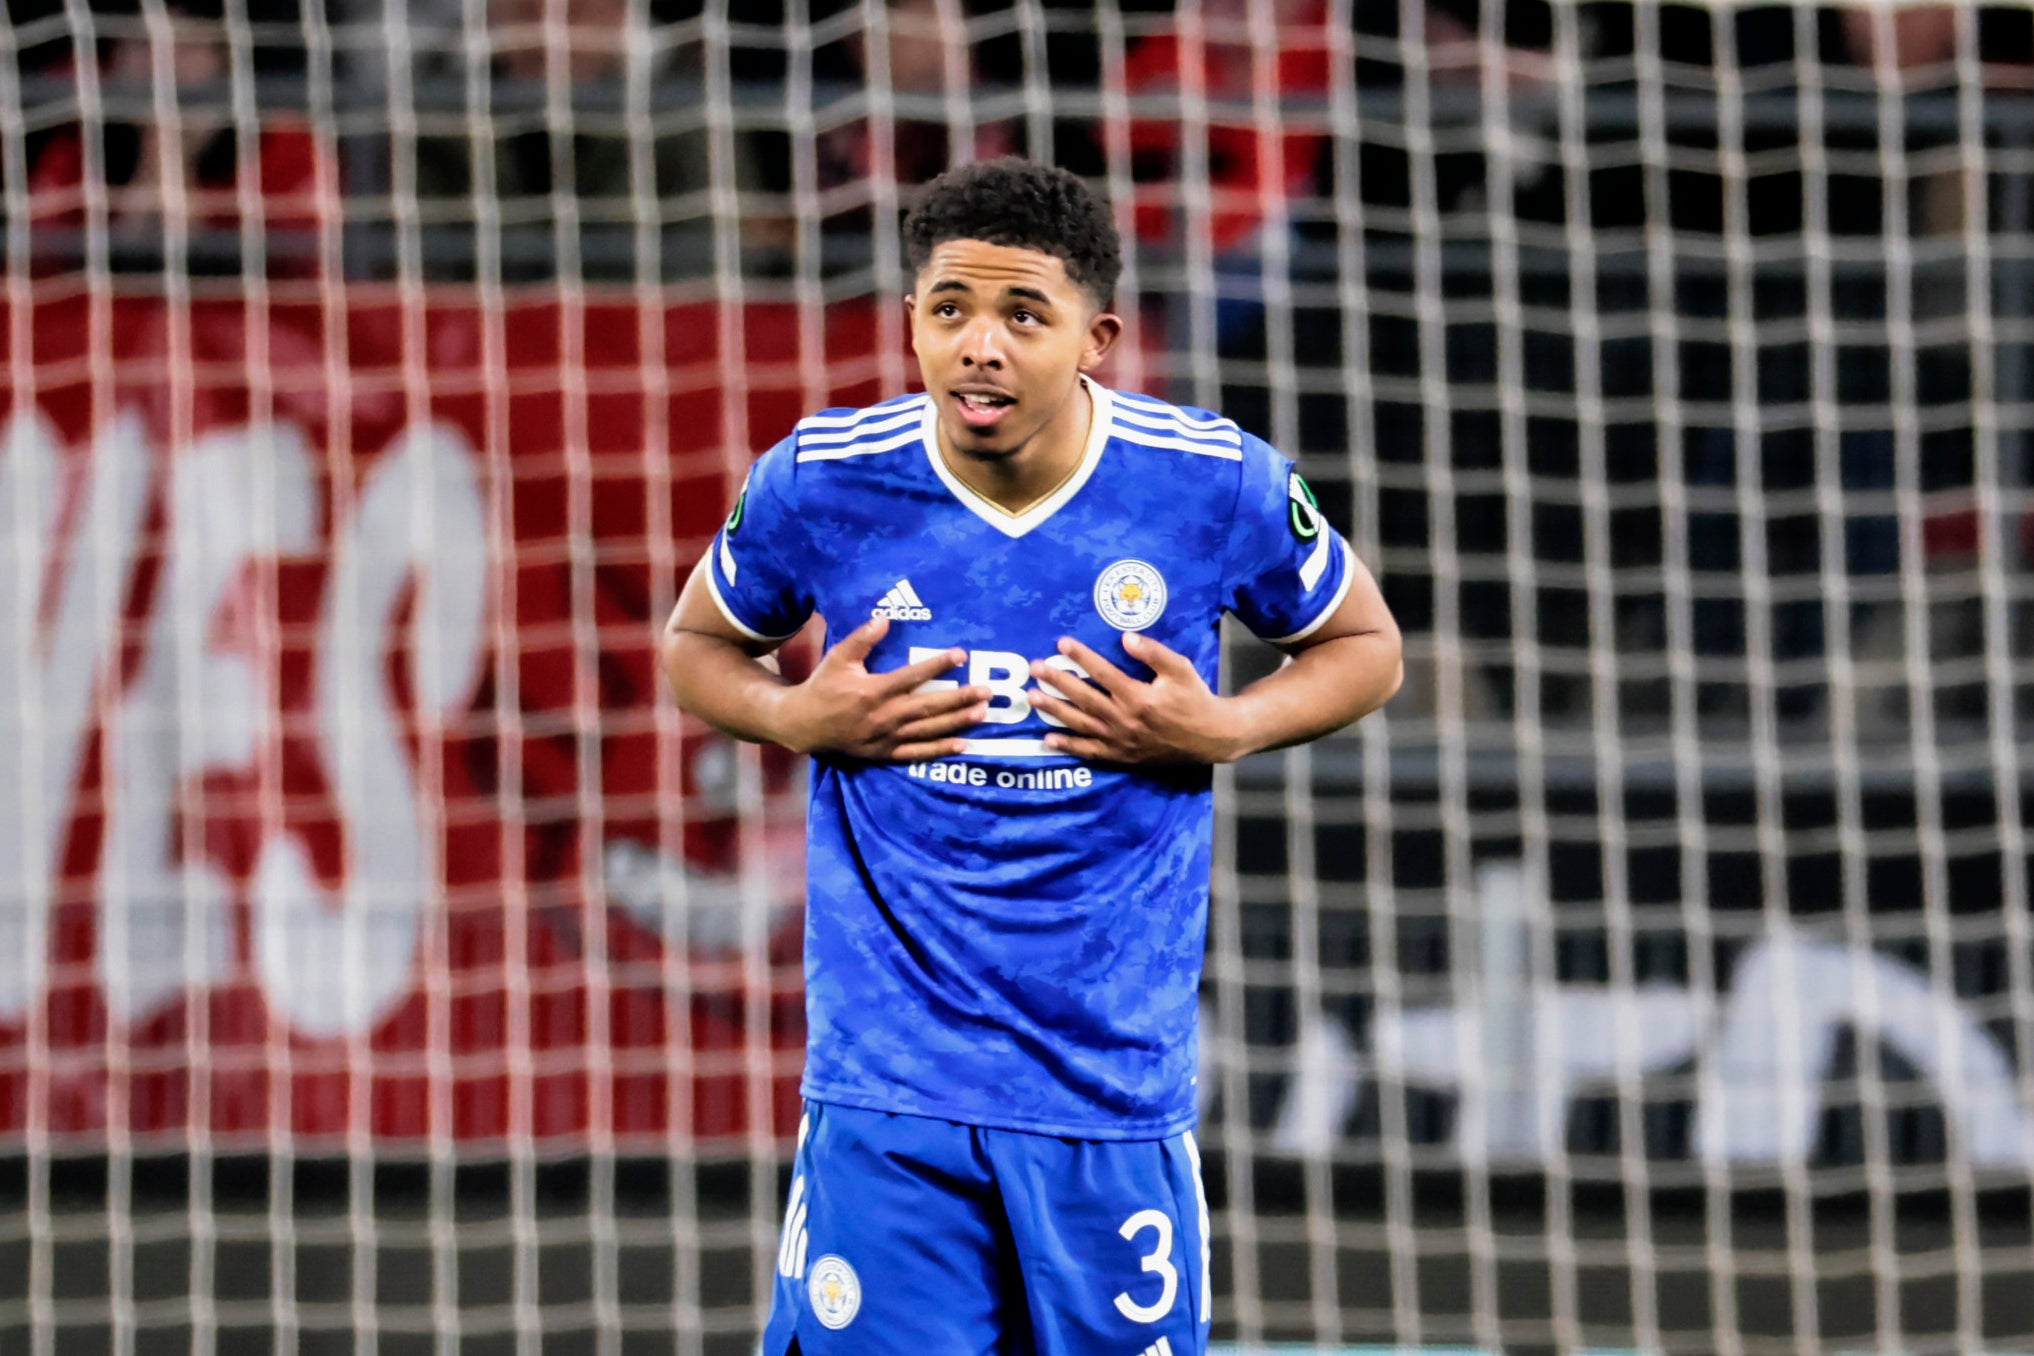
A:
[1287,568]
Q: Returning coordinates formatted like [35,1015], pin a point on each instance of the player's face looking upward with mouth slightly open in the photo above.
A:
[1002,341]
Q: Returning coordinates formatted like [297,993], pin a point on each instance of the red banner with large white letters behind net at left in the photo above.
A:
[339,798]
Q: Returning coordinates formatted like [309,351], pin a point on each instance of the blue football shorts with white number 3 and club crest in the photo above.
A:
[918,1237]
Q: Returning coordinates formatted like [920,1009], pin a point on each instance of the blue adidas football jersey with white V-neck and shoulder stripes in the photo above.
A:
[1014,938]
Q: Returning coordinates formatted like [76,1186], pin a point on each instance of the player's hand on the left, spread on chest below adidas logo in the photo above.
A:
[845,708]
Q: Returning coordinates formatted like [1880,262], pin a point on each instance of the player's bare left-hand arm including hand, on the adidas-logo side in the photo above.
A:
[719,674]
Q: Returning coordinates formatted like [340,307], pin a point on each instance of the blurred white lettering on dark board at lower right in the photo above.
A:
[1754,1072]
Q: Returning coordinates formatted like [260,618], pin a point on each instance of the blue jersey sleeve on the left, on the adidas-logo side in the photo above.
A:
[760,566]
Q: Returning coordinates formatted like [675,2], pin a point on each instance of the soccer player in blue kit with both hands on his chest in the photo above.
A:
[1012,737]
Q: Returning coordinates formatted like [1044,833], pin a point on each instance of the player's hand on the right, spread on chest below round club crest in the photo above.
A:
[1173,719]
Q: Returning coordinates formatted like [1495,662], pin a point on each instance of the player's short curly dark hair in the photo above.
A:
[1020,204]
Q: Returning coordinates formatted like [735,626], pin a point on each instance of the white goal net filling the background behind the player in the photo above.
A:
[387,967]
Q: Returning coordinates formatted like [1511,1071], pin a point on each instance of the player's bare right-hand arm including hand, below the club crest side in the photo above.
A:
[1339,672]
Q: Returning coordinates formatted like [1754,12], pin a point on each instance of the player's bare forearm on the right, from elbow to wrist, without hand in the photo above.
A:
[1325,688]
